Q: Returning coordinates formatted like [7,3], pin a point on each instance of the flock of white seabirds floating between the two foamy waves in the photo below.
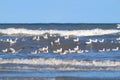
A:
[54,42]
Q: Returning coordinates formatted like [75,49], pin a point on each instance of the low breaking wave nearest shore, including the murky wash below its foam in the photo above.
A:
[58,64]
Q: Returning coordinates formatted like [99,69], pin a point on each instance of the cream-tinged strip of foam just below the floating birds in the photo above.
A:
[52,61]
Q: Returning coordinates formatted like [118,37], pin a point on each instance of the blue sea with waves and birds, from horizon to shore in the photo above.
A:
[52,51]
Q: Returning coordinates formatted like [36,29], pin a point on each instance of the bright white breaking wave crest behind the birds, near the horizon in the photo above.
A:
[22,31]
